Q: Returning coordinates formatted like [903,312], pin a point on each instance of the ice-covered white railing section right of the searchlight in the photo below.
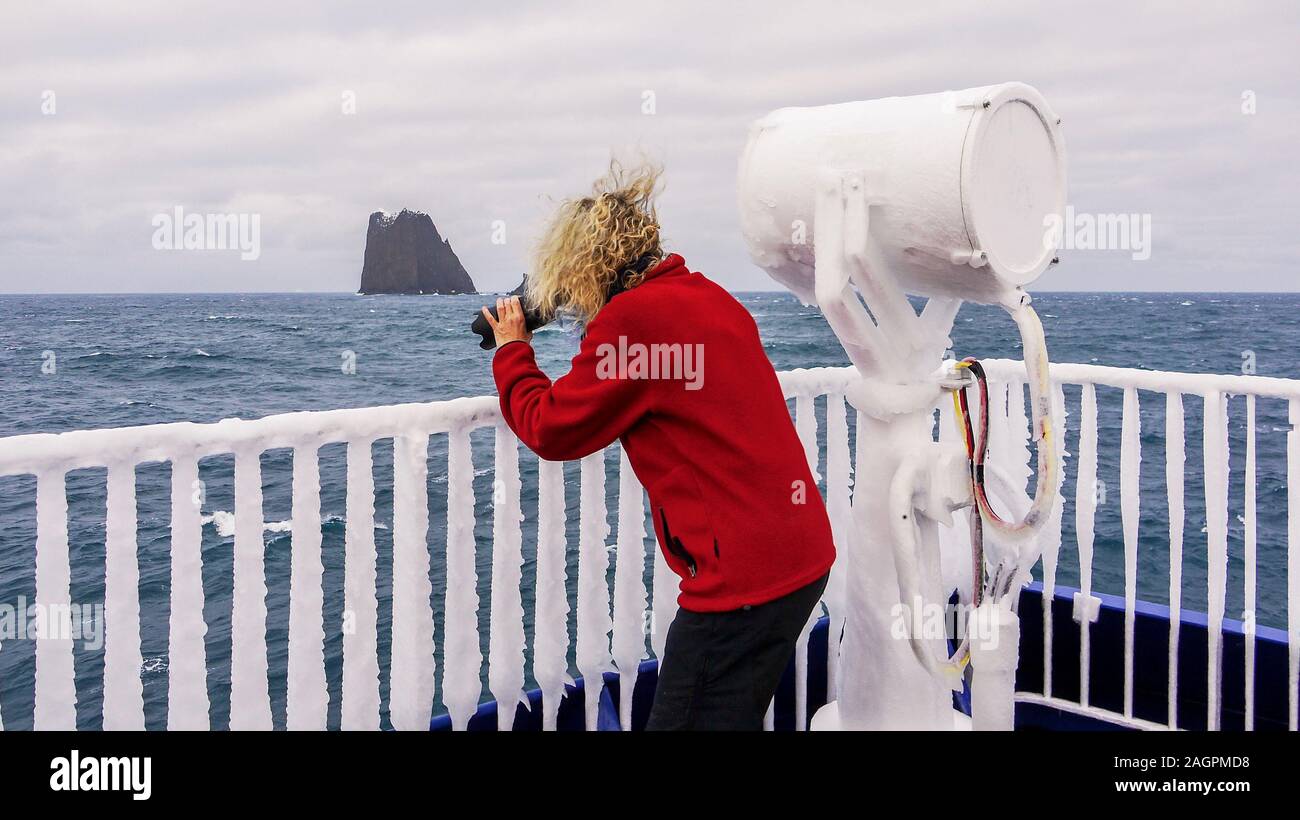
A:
[1173,391]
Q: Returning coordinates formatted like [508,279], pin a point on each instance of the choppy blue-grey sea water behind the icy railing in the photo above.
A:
[94,362]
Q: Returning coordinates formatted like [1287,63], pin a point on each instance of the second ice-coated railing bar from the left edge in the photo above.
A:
[124,697]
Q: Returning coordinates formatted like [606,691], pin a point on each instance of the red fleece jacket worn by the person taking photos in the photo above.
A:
[675,371]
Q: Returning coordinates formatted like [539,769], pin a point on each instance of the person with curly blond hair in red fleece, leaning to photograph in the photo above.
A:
[673,367]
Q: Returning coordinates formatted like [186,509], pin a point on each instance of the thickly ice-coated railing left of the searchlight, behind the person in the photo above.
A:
[612,623]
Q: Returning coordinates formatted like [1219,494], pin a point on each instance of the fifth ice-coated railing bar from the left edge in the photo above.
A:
[309,696]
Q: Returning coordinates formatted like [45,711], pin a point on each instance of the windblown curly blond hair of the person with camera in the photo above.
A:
[591,240]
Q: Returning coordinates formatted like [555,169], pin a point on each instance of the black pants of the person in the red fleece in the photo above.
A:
[721,670]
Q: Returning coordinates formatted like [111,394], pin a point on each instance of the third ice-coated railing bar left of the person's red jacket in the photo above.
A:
[593,589]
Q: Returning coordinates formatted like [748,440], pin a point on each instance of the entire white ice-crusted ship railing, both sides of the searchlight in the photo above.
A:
[612,626]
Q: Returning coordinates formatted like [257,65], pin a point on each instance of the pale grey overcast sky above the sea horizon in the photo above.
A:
[484,114]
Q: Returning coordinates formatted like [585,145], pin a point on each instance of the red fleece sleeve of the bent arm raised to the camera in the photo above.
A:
[582,413]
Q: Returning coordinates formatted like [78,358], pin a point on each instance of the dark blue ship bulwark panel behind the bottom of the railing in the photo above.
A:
[1107,673]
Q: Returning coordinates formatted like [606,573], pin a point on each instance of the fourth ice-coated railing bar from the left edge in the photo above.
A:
[250,692]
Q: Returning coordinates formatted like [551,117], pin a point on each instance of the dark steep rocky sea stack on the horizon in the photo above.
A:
[406,255]
